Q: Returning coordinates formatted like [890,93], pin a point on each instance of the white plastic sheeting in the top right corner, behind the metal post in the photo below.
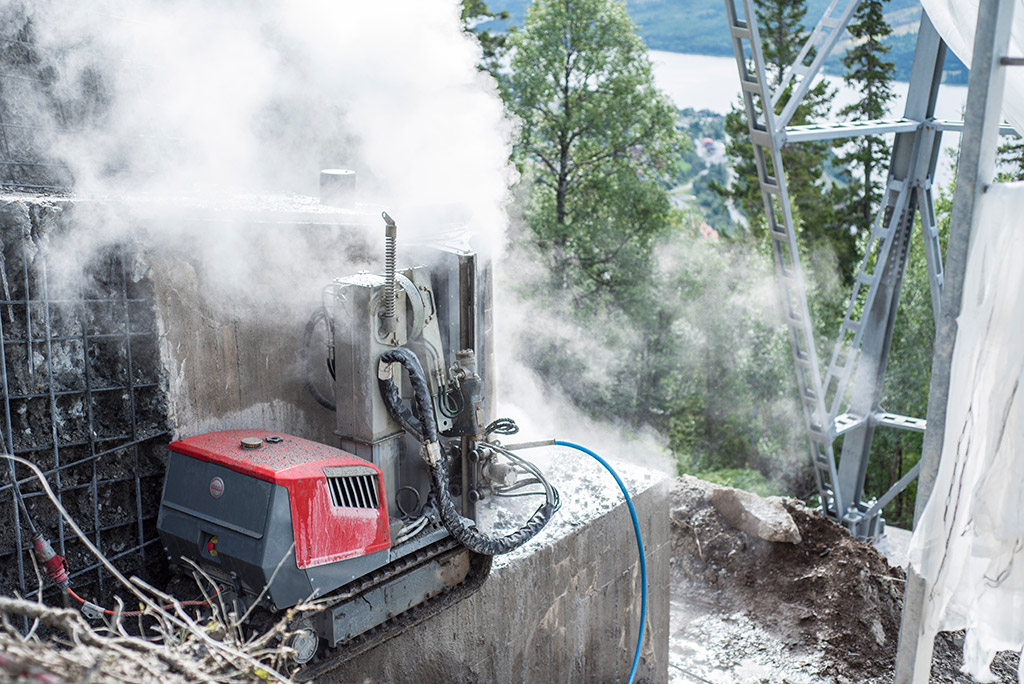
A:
[956,22]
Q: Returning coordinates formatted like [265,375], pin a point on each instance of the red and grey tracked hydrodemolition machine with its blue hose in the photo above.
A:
[381,531]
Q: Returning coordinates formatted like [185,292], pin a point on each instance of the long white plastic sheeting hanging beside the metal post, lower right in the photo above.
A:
[969,545]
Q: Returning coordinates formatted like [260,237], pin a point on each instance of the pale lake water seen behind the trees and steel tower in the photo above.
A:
[713,83]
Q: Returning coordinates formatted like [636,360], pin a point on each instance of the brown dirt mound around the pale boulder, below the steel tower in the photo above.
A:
[829,595]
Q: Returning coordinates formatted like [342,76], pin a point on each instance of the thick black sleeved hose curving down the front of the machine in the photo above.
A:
[424,427]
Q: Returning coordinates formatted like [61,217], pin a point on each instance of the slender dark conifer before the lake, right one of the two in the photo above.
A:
[871,74]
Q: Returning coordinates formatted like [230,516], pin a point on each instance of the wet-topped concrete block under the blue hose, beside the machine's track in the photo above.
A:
[565,609]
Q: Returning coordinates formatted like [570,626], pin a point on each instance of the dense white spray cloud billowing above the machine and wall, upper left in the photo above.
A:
[181,108]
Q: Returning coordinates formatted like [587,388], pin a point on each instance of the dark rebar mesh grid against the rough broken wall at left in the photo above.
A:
[83,400]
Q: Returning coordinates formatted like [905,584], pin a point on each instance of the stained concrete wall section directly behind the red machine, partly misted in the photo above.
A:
[232,310]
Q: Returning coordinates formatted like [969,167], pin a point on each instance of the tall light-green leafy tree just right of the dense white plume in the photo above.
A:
[599,147]
